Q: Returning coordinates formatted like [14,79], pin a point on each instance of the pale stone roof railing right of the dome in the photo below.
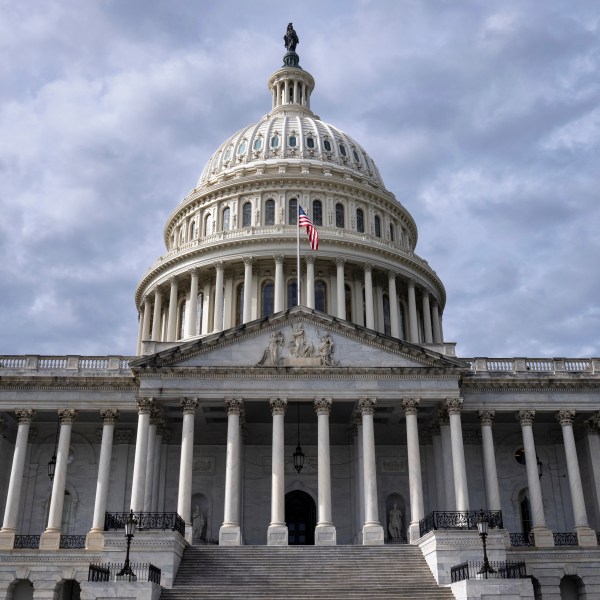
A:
[535,365]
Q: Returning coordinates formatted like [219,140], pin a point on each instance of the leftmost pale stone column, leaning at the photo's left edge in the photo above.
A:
[13,499]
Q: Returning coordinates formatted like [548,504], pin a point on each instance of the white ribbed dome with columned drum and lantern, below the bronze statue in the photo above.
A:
[232,243]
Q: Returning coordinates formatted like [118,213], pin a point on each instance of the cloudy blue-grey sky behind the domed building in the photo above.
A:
[483,117]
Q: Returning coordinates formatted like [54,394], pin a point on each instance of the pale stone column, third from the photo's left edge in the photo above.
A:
[95,537]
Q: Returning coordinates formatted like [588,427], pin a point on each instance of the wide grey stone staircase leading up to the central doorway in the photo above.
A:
[296,572]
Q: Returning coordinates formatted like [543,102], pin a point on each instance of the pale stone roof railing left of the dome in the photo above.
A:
[33,362]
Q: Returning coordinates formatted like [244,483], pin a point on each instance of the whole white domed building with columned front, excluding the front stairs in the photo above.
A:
[279,402]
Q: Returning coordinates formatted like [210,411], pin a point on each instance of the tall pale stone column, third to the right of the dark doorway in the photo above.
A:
[411,406]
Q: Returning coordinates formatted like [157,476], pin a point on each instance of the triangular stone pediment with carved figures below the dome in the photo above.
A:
[300,338]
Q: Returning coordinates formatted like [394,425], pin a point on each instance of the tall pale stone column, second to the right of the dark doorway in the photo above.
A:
[372,529]
